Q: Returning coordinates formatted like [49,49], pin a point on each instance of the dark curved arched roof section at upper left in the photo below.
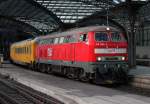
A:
[29,10]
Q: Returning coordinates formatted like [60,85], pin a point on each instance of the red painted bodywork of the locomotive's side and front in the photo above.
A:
[79,51]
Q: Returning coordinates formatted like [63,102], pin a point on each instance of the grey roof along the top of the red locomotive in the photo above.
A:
[79,30]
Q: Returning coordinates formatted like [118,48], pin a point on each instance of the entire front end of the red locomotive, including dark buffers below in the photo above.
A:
[110,55]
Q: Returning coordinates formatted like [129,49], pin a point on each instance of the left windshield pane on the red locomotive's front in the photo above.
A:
[101,36]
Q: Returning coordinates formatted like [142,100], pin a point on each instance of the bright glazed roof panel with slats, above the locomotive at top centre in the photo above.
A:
[69,11]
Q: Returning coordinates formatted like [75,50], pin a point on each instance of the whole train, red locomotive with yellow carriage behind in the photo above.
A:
[95,53]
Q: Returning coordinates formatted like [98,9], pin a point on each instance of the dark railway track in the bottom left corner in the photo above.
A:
[15,93]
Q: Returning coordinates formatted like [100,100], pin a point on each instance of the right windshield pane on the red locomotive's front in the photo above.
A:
[117,37]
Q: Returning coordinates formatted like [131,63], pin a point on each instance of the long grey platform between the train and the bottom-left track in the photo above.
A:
[70,91]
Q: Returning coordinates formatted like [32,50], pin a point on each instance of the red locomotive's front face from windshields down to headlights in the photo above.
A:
[110,46]
